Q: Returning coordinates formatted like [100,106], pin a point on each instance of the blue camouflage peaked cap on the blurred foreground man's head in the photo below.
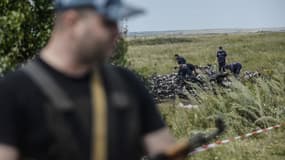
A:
[111,9]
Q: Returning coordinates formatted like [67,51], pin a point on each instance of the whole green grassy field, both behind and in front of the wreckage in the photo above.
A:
[246,106]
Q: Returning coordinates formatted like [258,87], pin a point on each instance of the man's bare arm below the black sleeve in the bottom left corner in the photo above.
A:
[8,153]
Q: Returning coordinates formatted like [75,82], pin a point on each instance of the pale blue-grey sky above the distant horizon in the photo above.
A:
[165,15]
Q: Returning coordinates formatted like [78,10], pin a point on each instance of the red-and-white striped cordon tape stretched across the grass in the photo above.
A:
[217,143]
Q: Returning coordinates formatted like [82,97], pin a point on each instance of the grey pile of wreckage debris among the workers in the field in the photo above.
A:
[168,86]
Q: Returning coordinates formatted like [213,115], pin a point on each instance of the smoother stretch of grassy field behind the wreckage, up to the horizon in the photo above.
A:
[256,51]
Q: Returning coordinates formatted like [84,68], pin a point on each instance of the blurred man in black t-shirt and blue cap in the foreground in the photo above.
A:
[68,104]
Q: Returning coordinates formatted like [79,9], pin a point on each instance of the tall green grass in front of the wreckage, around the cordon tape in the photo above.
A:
[245,107]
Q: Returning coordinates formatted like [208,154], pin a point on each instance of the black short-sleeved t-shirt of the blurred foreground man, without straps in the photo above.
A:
[22,117]
